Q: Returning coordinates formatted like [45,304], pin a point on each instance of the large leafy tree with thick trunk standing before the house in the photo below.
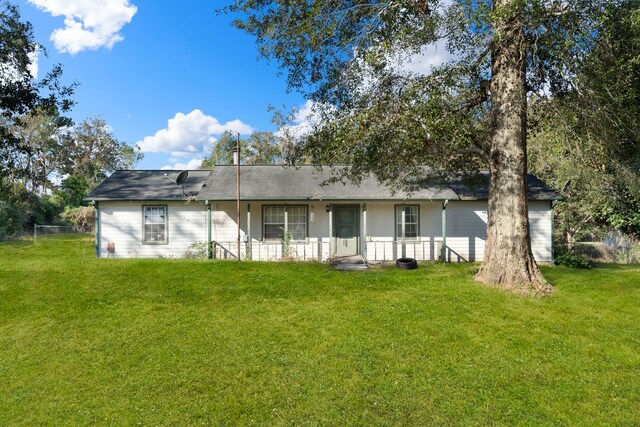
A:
[467,113]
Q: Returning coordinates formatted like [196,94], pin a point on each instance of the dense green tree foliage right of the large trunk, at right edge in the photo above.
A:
[586,138]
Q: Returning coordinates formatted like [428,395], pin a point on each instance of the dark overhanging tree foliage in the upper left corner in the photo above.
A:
[20,93]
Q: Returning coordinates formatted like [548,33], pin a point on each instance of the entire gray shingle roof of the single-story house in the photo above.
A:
[285,183]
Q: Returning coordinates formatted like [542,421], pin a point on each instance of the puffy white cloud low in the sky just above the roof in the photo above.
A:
[189,133]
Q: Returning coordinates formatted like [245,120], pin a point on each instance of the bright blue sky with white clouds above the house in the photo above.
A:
[167,75]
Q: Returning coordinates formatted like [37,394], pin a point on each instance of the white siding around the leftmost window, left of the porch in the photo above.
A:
[122,223]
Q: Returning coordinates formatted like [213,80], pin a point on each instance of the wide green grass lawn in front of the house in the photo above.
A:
[174,342]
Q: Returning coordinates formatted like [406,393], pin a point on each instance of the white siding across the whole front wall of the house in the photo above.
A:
[121,223]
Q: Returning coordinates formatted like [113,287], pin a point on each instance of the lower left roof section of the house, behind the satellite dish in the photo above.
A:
[147,185]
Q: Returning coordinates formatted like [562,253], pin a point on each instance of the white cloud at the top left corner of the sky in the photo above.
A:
[89,24]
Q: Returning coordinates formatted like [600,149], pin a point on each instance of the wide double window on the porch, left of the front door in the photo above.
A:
[276,219]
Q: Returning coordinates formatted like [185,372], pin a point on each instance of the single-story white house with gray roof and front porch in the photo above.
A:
[293,212]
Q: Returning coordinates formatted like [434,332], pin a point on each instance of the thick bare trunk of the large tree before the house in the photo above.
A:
[508,260]
